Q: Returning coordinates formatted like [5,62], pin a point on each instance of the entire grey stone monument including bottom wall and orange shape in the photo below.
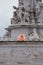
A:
[26,25]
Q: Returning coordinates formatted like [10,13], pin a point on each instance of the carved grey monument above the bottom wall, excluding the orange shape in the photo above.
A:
[28,20]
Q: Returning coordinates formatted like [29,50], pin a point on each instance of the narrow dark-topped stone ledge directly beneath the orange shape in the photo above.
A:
[21,43]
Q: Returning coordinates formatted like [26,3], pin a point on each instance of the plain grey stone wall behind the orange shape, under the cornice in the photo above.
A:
[16,32]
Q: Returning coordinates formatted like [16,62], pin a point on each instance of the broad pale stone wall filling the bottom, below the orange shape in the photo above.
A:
[21,53]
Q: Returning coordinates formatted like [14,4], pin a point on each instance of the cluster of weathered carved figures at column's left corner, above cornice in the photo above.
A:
[21,14]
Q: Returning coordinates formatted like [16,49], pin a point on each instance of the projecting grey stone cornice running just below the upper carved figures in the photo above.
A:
[29,26]
